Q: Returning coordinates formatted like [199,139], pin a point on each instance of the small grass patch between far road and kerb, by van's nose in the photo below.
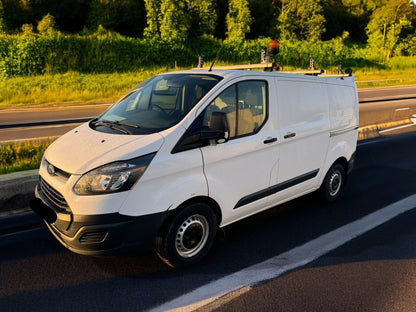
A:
[21,156]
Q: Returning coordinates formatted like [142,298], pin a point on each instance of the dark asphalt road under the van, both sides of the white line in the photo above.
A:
[38,274]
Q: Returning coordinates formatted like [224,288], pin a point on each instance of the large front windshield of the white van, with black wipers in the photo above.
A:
[155,105]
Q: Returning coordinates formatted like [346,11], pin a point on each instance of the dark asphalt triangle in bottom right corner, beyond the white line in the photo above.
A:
[374,273]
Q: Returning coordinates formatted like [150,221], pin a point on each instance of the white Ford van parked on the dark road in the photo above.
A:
[187,152]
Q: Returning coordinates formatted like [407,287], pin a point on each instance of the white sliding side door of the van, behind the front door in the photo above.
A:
[303,114]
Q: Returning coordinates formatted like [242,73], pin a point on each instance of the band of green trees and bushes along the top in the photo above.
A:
[185,28]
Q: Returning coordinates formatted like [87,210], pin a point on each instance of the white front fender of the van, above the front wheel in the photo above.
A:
[170,180]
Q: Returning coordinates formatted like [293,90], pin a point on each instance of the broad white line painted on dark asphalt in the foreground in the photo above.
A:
[287,261]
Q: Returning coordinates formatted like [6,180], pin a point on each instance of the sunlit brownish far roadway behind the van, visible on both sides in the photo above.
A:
[370,113]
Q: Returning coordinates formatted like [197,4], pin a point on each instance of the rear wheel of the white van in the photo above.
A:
[334,182]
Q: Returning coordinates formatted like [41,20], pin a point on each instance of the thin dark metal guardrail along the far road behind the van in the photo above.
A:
[85,119]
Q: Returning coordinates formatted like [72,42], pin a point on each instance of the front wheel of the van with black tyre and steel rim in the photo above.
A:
[188,237]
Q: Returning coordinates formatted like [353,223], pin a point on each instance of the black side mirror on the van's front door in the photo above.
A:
[219,128]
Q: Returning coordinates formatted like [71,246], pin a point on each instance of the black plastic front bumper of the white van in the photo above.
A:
[104,234]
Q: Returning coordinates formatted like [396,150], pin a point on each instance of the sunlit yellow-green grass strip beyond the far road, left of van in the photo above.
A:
[69,87]
